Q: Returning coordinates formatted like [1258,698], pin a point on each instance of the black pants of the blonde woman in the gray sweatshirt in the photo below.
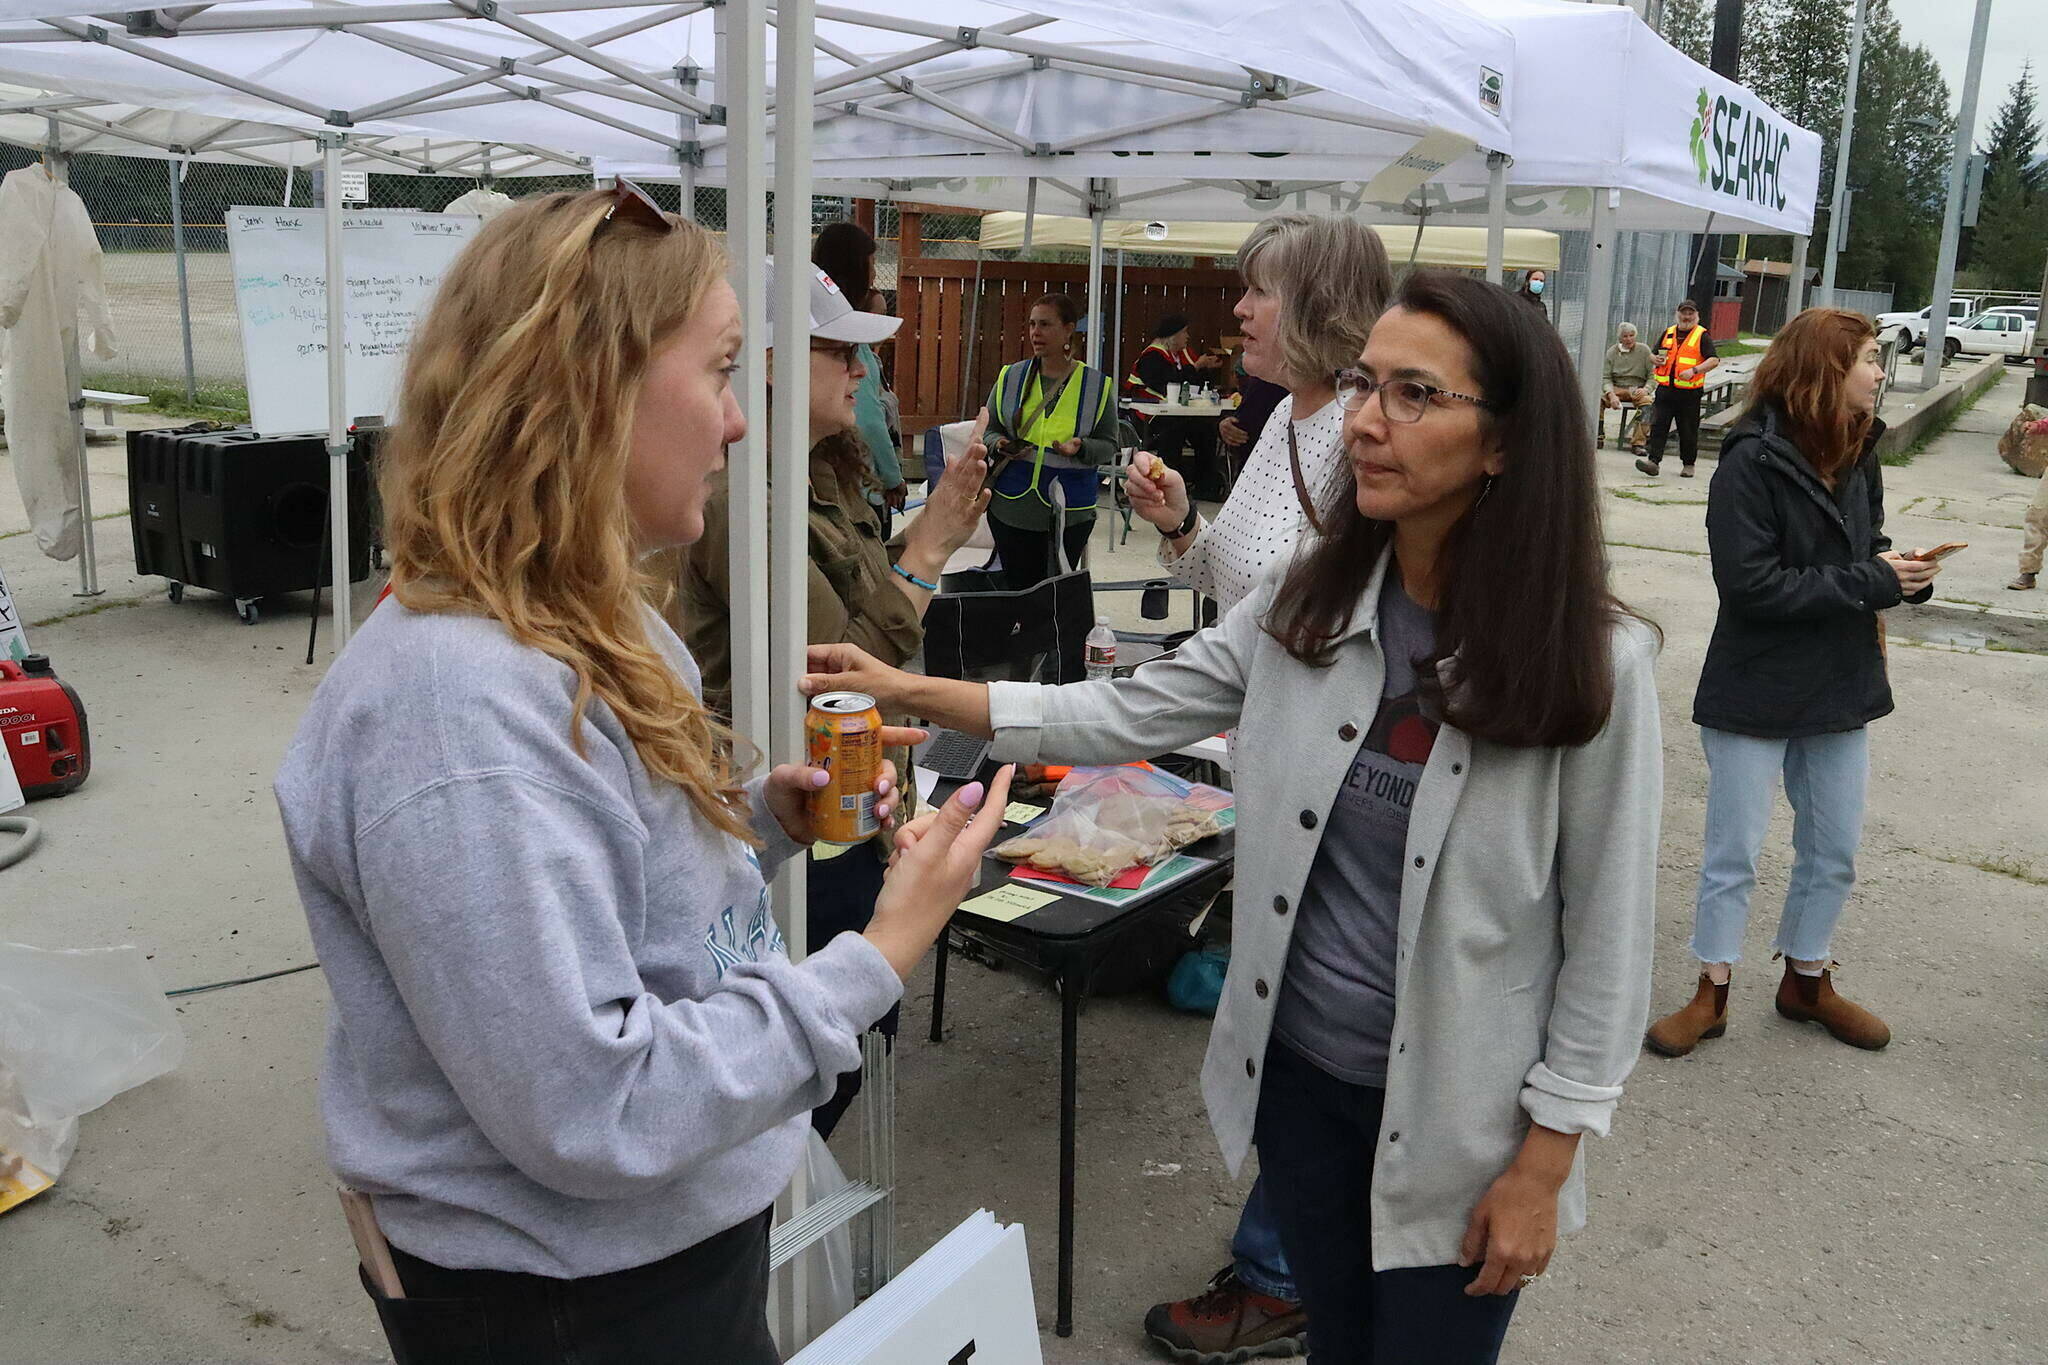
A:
[708,1303]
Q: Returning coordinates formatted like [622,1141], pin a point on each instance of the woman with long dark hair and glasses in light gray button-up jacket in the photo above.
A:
[1449,777]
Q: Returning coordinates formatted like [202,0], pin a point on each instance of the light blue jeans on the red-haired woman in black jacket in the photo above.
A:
[1826,779]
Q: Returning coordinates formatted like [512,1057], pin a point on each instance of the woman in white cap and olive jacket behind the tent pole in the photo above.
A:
[863,590]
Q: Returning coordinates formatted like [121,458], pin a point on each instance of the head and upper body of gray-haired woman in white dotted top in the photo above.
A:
[1314,290]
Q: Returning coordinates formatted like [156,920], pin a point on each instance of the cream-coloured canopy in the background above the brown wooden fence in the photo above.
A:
[1441,247]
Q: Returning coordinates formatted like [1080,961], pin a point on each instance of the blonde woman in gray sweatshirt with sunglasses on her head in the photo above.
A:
[568,1059]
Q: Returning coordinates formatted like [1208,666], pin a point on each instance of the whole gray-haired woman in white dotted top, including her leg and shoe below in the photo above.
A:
[1314,290]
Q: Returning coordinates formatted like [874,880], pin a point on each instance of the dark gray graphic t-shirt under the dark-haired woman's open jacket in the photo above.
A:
[1338,1000]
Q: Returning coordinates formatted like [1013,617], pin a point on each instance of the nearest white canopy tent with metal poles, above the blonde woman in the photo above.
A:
[628,81]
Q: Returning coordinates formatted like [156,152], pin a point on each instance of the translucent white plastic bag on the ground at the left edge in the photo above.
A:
[77,1028]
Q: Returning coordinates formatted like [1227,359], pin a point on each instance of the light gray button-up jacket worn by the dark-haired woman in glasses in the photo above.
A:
[1527,918]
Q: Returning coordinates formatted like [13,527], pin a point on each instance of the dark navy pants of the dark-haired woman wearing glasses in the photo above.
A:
[1318,1139]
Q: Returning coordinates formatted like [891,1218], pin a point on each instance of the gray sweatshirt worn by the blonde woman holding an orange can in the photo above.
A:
[564,1037]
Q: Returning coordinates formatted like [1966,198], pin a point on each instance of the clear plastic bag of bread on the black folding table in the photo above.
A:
[1109,820]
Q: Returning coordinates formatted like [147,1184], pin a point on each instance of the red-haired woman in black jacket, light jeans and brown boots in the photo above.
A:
[1797,666]
